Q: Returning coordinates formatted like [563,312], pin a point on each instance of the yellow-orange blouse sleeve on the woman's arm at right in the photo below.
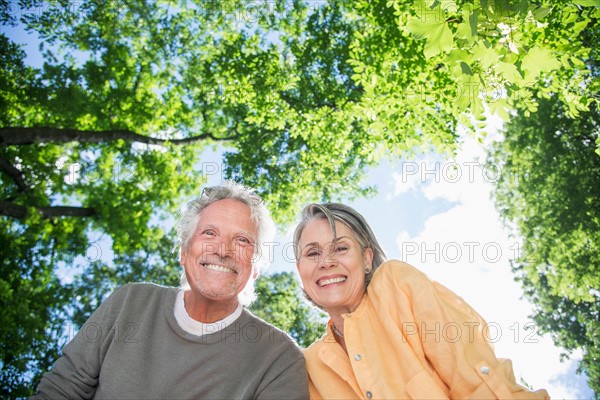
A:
[455,341]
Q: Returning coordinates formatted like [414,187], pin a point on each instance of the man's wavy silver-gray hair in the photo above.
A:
[190,214]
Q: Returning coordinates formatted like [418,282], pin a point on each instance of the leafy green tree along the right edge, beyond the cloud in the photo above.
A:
[550,192]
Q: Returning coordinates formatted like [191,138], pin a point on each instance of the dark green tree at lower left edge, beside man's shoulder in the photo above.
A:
[30,298]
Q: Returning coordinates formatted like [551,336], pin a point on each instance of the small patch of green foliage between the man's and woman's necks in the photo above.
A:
[281,302]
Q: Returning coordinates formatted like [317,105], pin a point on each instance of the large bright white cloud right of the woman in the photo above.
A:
[467,249]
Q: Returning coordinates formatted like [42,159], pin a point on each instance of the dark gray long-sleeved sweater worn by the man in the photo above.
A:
[132,347]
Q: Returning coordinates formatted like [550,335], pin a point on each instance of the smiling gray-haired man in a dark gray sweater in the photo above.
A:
[196,341]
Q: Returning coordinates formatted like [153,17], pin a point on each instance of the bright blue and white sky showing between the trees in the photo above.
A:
[438,215]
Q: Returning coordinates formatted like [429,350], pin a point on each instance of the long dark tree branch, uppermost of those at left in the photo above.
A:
[22,136]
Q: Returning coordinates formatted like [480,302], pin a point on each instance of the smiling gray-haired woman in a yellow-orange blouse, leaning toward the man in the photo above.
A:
[392,333]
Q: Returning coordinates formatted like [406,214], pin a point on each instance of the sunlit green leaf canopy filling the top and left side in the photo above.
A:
[101,143]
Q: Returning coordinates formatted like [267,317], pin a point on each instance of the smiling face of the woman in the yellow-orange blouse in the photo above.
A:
[332,273]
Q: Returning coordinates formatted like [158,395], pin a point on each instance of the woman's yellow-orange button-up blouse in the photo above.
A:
[411,338]
